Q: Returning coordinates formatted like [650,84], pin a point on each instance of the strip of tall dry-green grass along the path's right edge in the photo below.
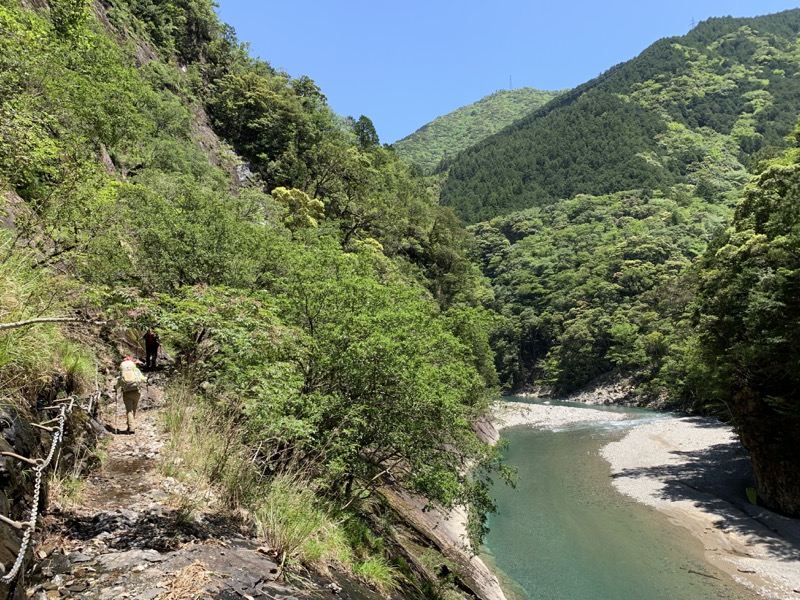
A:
[207,450]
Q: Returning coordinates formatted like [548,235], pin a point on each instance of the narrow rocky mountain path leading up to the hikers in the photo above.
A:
[134,535]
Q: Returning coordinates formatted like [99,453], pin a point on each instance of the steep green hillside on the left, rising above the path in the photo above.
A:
[313,294]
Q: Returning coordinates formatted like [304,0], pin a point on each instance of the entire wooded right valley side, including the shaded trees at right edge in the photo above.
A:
[602,221]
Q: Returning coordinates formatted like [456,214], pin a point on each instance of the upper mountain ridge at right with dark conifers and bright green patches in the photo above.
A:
[697,109]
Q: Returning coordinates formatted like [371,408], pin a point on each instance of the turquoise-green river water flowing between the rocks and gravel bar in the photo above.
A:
[566,534]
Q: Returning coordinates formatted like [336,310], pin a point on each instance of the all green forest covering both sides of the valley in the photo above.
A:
[335,326]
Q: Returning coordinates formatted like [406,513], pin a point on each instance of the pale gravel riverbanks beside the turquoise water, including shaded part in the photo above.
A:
[695,471]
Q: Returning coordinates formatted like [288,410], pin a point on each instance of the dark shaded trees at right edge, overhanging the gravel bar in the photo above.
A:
[748,318]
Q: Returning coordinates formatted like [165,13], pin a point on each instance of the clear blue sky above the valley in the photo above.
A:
[402,64]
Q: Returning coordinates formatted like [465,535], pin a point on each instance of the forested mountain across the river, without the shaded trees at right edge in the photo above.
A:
[625,180]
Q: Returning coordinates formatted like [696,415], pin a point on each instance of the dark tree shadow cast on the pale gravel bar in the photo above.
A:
[715,480]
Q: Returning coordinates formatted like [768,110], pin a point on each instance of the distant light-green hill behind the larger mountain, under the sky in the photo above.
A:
[449,134]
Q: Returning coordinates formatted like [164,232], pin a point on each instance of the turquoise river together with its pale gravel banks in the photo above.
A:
[627,503]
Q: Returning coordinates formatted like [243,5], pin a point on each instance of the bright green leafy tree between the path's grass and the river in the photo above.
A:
[375,355]
